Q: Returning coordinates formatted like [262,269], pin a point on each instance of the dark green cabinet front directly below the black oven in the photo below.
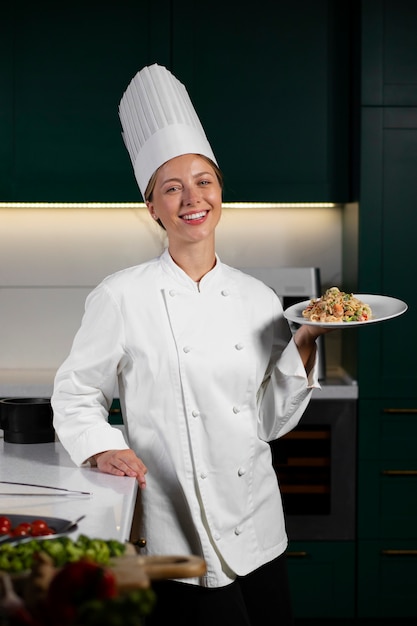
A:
[322,578]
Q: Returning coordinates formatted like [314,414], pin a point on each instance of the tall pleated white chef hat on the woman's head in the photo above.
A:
[159,122]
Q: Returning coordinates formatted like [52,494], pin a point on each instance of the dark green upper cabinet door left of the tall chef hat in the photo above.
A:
[70,65]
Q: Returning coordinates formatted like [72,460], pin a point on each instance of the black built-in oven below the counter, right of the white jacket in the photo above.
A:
[316,468]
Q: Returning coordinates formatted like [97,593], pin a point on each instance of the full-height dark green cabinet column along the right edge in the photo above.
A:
[387,368]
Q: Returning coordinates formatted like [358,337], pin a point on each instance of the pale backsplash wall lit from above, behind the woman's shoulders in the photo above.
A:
[50,259]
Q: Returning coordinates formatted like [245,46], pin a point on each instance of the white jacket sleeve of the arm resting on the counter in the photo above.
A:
[85,383]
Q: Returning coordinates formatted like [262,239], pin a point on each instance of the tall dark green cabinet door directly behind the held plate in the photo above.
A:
[388,221]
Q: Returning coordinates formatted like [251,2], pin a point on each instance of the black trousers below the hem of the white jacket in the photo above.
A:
[261,598]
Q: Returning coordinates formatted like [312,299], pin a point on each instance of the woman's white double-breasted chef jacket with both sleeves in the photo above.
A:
[207,375]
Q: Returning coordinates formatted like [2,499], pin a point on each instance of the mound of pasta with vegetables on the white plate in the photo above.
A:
[337,306]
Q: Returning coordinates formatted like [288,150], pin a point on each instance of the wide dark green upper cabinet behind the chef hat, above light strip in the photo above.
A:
[271,83]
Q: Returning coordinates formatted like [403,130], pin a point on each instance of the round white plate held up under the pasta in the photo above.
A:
[383,308]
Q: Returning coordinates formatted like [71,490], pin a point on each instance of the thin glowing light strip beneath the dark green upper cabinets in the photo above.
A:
[141,205]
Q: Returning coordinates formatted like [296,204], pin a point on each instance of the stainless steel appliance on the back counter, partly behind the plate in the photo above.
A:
[292,285]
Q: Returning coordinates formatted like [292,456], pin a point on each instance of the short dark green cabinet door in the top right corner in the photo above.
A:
[389,52]
